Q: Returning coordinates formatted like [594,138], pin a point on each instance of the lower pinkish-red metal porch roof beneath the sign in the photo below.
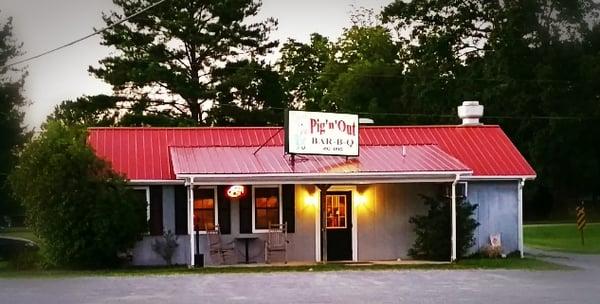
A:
[209,160]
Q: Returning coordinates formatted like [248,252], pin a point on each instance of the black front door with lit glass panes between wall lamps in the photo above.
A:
[339,225]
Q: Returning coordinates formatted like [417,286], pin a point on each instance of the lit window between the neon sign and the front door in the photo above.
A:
[267,207]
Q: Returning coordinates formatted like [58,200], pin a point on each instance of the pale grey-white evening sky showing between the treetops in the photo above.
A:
[45,24]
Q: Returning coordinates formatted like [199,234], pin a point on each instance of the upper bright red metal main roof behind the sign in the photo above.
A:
[143,153]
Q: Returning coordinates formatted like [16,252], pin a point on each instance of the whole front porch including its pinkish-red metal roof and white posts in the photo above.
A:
[336,208]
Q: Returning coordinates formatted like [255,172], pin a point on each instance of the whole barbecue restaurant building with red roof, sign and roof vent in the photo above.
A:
[362,183]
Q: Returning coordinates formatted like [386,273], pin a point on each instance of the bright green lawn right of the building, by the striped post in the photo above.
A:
[563,237]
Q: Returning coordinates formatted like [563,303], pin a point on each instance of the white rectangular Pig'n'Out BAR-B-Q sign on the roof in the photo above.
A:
[321,133]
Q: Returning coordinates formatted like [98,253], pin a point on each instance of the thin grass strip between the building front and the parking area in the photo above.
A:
[466,264]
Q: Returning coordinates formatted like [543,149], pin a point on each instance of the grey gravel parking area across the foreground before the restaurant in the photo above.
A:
[405,286]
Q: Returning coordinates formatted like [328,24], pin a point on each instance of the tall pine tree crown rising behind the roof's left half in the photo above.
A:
[172,58]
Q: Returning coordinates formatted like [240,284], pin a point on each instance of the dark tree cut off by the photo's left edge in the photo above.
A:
[12,103]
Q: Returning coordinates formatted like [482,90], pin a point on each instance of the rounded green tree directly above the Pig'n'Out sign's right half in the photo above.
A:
[365,76]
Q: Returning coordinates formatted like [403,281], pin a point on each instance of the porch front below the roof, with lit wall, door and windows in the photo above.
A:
[363,223]
